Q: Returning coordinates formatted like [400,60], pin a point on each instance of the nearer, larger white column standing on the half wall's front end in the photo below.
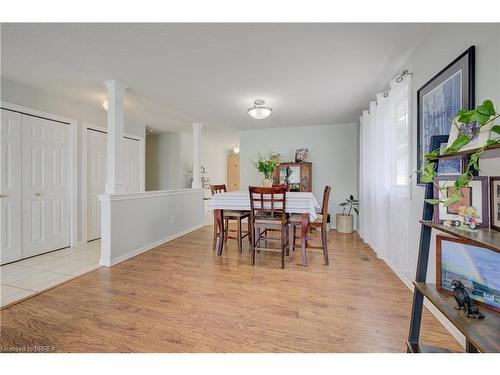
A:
[115,175]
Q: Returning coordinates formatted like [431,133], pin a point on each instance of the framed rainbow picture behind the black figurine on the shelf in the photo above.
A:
[478,268]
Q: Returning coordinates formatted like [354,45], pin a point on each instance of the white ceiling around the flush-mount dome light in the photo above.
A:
[211,73]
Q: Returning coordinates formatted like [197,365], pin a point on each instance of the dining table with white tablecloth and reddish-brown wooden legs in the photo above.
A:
[303,203]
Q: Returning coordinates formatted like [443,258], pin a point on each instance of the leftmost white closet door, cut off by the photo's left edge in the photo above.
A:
[10,187]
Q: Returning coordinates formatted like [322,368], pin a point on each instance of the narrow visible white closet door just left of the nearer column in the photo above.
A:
[96,180]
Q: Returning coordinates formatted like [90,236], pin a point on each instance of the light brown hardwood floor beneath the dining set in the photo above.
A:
[180,297]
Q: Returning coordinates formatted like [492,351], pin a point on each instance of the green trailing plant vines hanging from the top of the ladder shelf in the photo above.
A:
[484,114]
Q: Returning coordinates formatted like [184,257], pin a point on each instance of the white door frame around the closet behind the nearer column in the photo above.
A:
[142,168]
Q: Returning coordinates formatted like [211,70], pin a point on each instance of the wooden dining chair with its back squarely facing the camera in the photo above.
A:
[267,212]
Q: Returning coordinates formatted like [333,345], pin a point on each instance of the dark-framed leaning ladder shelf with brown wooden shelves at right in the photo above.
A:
[480,335]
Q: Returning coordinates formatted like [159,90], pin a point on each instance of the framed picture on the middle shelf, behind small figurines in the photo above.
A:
[476,195]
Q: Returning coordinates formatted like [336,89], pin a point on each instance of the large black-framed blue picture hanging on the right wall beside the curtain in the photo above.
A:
[439,100]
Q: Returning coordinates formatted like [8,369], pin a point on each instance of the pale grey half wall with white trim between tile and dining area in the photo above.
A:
[137,222]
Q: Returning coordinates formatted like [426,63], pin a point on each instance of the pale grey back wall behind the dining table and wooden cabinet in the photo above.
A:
[333,150]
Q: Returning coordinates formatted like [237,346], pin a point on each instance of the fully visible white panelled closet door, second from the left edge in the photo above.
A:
[46,185]
